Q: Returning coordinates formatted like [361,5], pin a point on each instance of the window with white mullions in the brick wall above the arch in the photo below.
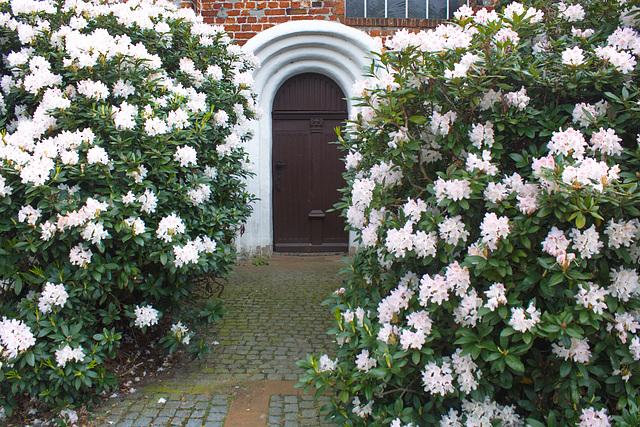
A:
[423,9]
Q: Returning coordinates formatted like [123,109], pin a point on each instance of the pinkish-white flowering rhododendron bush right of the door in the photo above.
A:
[493,187]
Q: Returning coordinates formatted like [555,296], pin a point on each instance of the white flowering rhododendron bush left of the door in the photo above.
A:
[122,174]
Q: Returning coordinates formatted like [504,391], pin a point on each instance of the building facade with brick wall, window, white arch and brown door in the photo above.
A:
[311,53]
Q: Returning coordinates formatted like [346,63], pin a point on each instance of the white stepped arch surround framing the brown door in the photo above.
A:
[324,47]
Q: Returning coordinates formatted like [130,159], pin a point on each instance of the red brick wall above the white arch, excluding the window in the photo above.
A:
[243,19]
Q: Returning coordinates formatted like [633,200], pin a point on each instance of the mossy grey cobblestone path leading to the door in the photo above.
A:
[274,319]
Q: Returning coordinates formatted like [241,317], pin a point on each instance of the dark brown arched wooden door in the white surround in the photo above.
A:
[307,170]
